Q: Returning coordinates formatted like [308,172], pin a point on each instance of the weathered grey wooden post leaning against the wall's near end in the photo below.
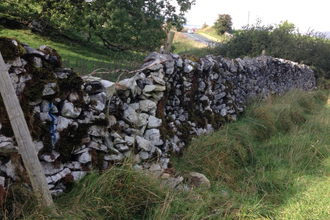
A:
[25,144]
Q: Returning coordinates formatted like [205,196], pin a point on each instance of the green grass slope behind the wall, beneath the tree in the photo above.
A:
[83,58]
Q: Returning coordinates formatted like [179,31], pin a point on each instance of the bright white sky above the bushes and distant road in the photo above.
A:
[313,15]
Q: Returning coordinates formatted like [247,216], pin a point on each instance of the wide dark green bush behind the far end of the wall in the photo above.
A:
[282,41]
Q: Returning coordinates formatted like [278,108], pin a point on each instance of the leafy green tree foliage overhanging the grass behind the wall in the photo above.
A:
[118,24]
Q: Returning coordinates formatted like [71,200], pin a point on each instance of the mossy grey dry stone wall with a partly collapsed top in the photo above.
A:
[83,123]
